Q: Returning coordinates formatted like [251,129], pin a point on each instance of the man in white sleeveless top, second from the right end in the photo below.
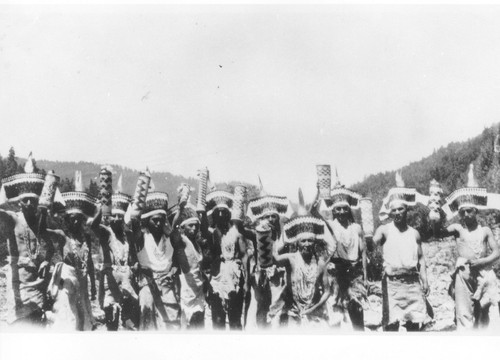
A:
[404,282]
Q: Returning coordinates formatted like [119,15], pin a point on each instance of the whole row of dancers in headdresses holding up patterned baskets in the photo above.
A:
[226,261]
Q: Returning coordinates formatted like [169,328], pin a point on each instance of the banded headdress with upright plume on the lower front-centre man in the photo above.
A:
[303,226]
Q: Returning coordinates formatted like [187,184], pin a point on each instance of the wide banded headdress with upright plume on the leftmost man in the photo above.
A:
[20,186]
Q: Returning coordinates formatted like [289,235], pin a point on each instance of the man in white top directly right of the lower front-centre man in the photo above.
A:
[349,258]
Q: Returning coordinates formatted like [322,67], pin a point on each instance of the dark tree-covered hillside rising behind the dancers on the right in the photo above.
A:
[448,165]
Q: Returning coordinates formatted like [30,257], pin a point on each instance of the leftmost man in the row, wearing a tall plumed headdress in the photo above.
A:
[30,252]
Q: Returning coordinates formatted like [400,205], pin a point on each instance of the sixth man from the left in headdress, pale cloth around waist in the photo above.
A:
[229,279]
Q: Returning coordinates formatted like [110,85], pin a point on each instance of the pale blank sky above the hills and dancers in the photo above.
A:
[247,90]
